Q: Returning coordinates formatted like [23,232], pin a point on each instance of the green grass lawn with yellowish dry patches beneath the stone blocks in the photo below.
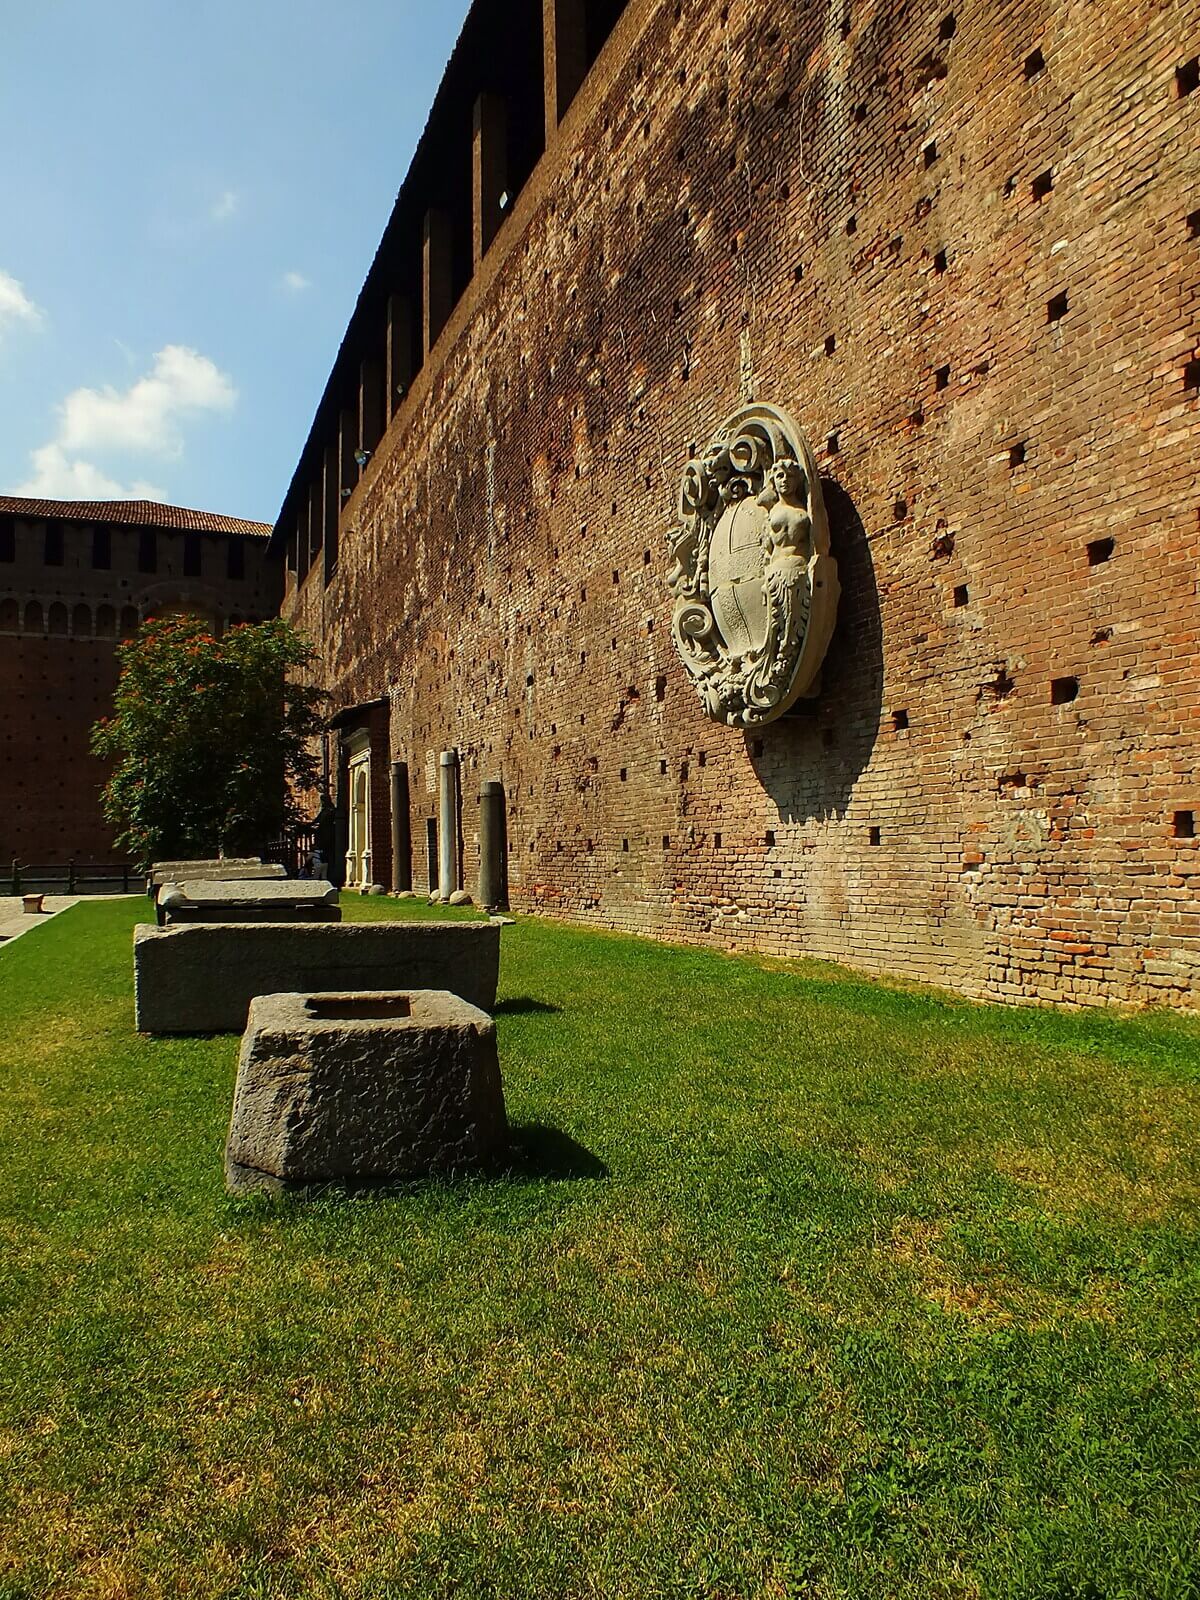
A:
[799,1286]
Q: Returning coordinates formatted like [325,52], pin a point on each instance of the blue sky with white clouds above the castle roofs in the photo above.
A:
[191,194]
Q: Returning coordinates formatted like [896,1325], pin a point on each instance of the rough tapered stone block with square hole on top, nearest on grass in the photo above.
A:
[364,1089]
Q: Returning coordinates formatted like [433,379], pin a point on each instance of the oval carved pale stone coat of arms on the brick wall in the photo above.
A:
[754,585]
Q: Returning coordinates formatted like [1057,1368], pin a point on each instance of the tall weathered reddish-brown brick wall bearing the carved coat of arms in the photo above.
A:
[961,244]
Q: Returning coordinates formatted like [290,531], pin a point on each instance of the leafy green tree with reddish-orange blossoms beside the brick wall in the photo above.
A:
[210,738]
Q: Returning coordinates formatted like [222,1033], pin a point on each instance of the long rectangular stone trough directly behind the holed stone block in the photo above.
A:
[201,978]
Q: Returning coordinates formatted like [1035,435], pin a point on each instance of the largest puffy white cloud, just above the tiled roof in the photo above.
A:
[142,420]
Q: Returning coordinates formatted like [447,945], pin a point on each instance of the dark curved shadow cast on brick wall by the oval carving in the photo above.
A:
[812,758]
